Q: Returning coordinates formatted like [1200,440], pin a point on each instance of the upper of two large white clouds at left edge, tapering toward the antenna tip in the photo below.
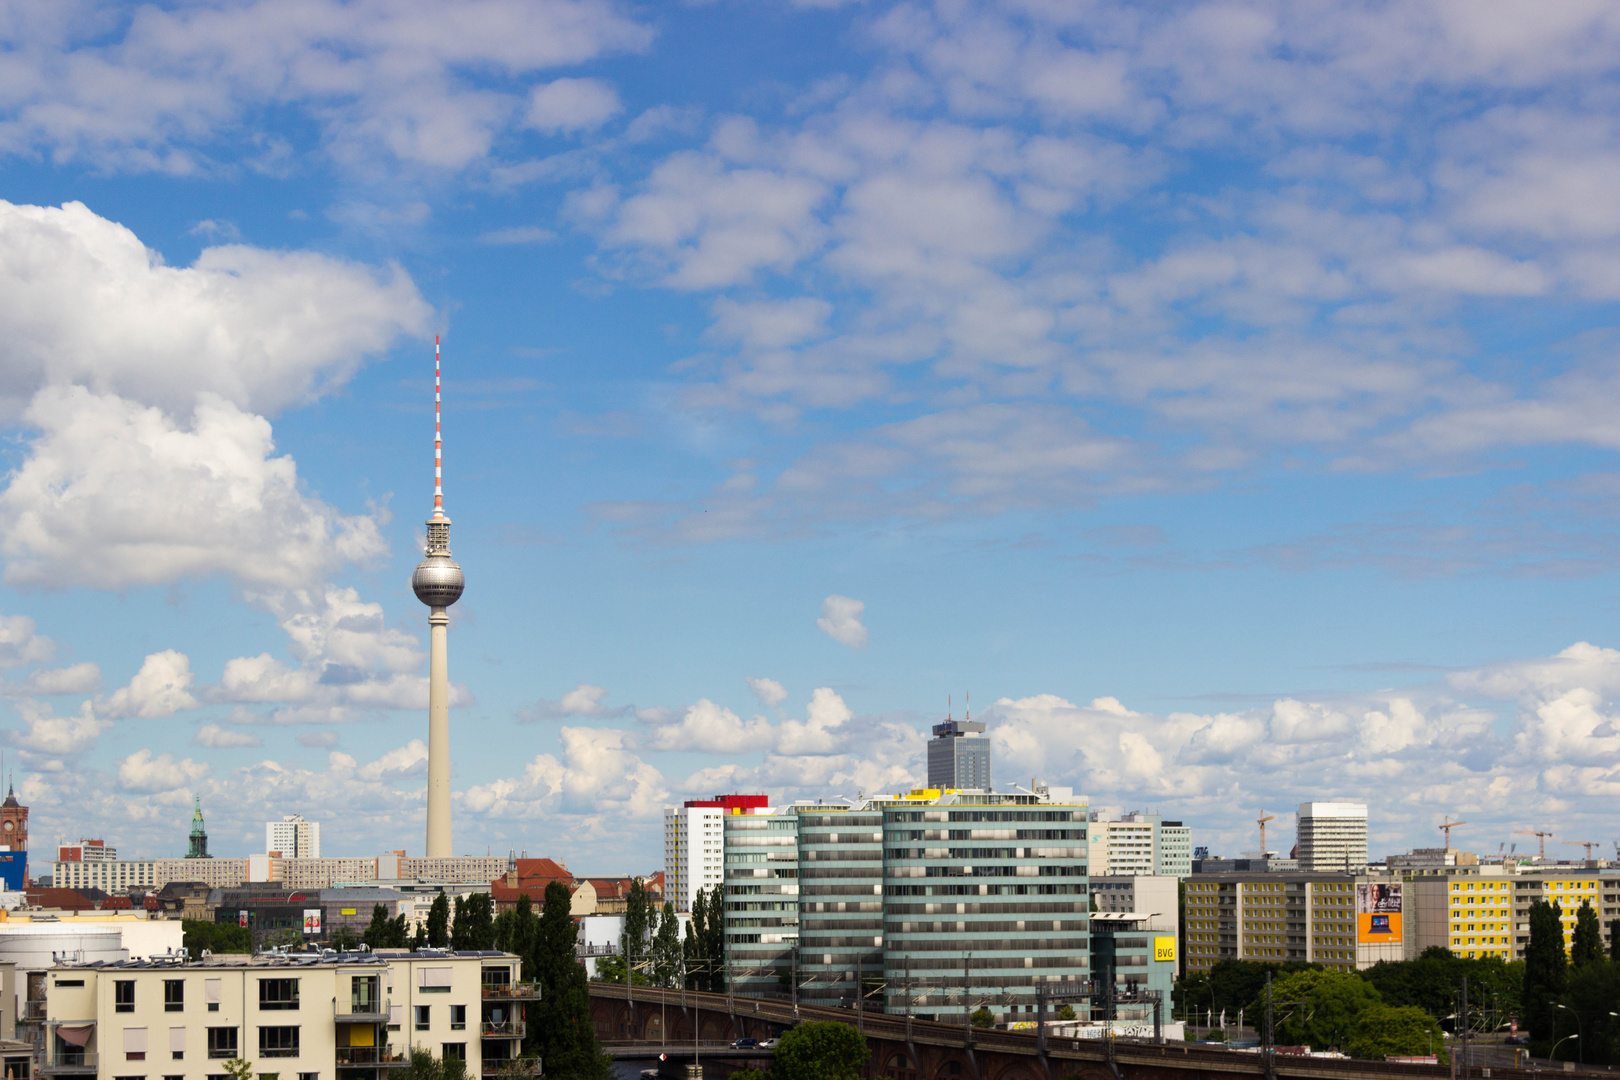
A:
[258,330]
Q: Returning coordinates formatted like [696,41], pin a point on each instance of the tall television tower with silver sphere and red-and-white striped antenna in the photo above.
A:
[438,584]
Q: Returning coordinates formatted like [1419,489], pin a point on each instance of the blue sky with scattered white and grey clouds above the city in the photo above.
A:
[1226,396]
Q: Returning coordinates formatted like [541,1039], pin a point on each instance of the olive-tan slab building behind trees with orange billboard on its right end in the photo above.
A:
[1284,917]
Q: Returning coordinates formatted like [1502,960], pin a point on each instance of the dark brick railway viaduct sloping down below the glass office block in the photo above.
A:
[649,1021]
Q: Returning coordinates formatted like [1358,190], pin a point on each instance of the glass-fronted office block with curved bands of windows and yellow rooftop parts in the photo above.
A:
[918,903]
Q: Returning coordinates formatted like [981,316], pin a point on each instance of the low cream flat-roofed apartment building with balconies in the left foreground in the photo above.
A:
[307,1016]
